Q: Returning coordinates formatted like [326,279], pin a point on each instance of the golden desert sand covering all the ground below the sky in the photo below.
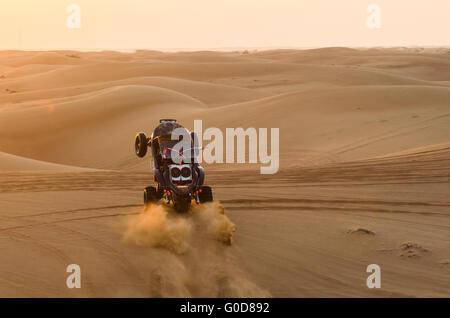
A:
[364,174]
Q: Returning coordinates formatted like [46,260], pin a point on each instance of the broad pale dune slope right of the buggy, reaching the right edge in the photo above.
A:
[370,120]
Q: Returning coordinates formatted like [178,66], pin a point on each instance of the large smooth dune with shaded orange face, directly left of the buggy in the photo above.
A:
[90,123]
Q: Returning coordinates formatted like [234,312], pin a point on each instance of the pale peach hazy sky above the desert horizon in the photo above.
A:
[196,24]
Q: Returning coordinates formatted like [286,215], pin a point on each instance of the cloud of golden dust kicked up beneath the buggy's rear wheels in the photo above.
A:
[194,252]
